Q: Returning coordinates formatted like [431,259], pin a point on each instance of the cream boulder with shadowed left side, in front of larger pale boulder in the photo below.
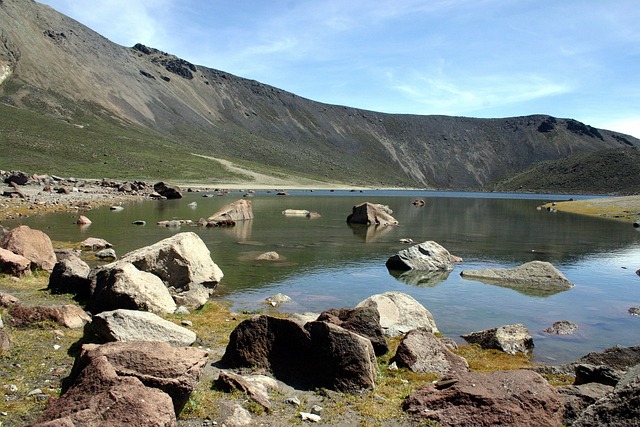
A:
[122,285]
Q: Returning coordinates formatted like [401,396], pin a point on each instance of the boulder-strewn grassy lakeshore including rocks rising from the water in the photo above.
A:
[144,341]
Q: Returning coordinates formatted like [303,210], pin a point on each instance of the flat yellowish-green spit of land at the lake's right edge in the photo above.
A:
[625,208]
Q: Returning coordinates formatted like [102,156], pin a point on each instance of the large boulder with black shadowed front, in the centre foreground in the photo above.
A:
[316,355]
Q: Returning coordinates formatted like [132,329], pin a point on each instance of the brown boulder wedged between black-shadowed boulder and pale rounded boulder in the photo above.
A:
[364,321]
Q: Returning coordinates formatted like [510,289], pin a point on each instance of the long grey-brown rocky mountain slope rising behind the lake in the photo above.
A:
[52,65]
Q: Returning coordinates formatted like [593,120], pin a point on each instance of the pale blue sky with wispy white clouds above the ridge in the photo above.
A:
[575,59]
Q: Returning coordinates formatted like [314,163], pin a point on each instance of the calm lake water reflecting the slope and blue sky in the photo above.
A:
[327,263]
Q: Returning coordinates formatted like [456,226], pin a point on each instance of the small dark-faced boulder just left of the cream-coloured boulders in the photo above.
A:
[71,275]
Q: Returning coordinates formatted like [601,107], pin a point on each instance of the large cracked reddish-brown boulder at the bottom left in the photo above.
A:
[140,383]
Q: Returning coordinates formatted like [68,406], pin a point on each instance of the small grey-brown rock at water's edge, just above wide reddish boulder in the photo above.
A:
[511,339]
